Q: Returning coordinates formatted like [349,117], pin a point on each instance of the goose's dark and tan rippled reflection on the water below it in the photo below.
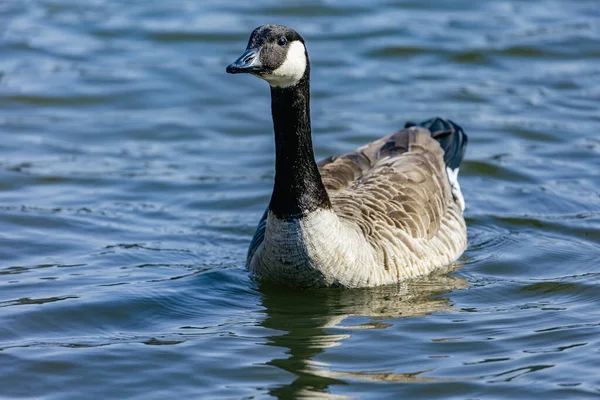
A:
[311,324]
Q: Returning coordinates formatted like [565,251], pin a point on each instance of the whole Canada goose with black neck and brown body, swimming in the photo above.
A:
[389,211]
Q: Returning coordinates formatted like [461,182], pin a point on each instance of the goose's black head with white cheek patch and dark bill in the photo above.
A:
[276,54]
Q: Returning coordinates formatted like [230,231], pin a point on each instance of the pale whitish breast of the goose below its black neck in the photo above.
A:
[316,250]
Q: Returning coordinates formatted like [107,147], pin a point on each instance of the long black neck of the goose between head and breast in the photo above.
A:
[298,185]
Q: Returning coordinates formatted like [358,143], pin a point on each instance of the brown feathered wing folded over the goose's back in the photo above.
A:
[399,180]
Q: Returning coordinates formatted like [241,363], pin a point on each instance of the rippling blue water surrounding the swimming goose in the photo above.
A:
[134,170]
